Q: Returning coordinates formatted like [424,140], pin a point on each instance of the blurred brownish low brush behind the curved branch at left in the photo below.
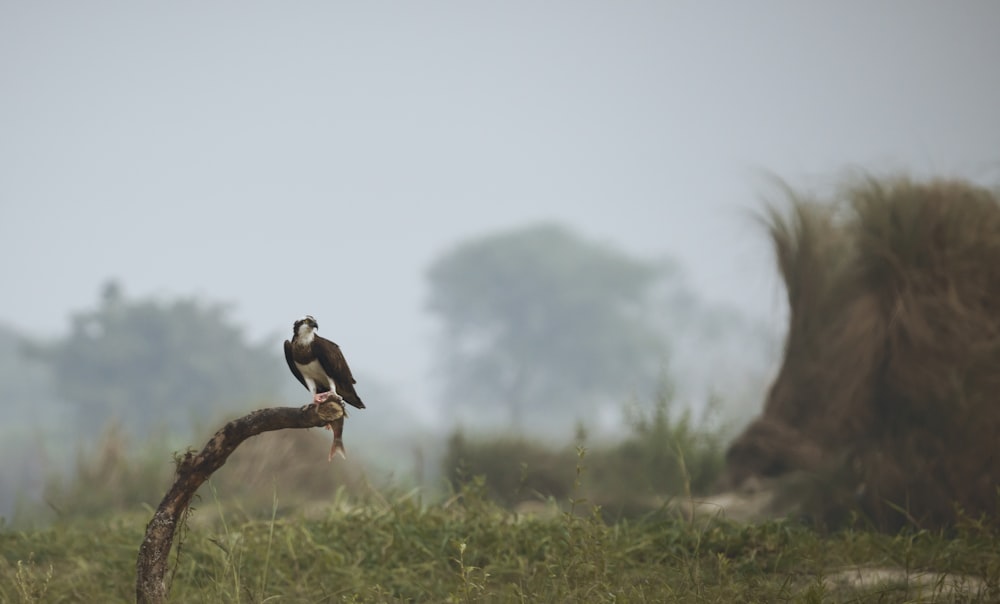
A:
[118,476]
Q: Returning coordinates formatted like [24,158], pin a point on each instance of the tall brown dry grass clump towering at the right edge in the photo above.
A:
[890,386]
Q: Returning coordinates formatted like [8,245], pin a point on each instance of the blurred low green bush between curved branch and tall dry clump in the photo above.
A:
[666,454]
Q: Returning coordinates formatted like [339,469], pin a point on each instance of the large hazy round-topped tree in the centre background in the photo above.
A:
[539,317]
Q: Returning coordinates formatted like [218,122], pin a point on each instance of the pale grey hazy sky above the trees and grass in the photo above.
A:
[314,157]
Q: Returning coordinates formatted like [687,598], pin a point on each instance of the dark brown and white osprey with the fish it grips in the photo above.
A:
[320,366]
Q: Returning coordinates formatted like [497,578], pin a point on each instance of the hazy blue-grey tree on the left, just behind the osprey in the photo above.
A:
[146,362]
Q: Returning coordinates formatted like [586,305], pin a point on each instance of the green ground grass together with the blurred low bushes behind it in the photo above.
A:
[610,523]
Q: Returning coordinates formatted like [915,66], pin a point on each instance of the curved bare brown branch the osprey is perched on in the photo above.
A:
[193,470]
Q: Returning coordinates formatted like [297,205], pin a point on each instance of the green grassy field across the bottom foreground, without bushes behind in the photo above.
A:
[468,549]
